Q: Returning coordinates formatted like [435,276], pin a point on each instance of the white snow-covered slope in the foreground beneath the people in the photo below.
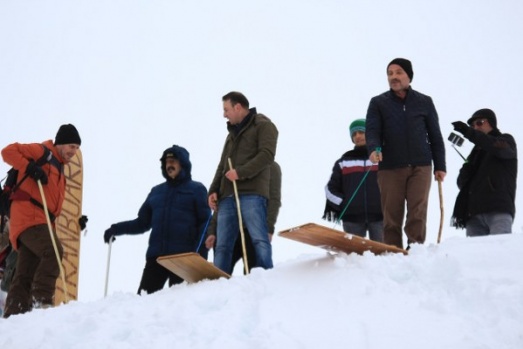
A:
[463,293]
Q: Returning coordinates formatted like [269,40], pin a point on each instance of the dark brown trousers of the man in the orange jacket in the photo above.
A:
[36,271]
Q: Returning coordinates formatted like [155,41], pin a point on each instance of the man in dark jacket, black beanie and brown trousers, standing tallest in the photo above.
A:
[403,124]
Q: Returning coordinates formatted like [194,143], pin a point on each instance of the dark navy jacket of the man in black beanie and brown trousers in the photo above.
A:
[407,130]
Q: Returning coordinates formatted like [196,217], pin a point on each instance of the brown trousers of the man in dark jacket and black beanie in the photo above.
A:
[410,184]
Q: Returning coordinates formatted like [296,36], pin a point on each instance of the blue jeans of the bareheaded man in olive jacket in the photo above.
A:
[254,217]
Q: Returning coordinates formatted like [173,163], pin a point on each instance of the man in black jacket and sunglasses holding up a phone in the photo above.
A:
[487,180]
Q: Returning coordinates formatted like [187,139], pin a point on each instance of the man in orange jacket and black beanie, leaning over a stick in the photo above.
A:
[37,269]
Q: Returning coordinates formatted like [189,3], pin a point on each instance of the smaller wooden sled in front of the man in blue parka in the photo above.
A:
[191,267]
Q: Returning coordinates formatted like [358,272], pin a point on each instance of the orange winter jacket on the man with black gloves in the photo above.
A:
[24,213]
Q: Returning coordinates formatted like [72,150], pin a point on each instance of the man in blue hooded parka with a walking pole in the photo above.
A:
[176,212]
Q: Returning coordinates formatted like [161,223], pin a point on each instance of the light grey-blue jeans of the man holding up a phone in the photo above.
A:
[489,224]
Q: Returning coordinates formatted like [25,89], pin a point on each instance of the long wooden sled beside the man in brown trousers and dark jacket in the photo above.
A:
[336,241]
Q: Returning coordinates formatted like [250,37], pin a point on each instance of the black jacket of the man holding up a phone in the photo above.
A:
[487,181]
